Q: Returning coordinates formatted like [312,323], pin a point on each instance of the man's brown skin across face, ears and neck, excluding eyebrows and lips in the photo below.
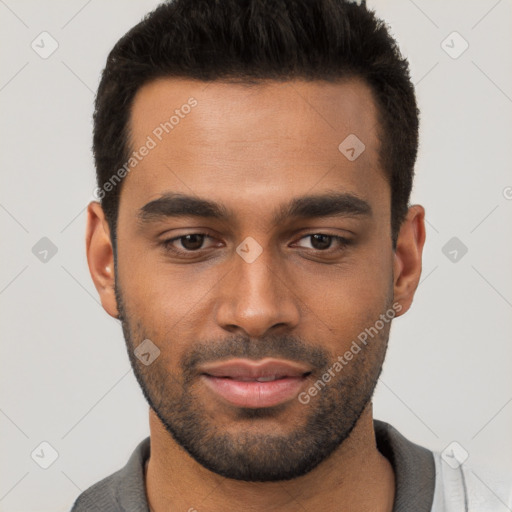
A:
[254,149]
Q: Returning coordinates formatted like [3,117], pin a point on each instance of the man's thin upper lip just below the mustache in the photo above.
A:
[248,369]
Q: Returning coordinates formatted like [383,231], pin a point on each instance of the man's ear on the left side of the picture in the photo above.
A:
[100,257]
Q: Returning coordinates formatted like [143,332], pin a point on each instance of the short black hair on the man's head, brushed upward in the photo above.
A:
[252,40]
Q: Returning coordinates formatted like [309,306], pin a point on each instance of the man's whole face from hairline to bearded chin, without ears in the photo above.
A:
[262,284]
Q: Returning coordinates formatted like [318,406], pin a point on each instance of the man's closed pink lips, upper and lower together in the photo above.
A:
[235,381]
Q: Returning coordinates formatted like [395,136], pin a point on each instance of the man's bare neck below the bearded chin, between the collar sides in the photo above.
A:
[356,477]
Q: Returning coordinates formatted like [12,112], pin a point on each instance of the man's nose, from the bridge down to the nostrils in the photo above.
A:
[257,297]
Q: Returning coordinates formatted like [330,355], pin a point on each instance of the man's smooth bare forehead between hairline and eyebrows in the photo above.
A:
[255,143]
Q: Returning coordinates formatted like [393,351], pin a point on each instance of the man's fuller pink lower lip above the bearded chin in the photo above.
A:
[254,394]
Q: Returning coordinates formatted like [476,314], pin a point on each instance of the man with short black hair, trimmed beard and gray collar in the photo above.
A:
[254,163]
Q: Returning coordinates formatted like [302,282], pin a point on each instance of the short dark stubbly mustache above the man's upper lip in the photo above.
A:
[240,346]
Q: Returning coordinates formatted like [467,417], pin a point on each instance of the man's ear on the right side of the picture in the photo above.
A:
[408,257]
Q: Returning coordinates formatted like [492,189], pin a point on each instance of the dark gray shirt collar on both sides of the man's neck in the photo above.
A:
[414,467]
